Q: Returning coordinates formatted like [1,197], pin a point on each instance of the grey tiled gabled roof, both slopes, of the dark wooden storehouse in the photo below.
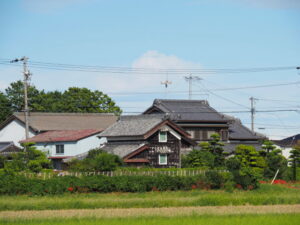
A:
[140,126]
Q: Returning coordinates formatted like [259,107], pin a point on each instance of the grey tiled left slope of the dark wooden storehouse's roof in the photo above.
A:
[133,125]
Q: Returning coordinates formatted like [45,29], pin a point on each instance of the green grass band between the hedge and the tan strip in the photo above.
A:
[266,195]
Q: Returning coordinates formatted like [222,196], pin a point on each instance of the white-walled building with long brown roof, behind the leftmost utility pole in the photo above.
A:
[13,129]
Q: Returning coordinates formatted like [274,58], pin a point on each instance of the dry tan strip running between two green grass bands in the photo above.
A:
[138,212]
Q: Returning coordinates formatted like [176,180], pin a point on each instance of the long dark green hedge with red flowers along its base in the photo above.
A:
[15,184]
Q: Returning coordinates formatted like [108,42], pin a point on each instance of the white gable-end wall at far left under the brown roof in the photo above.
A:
[14,131]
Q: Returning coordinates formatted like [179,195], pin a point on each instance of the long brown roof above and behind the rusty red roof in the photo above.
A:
[65,121]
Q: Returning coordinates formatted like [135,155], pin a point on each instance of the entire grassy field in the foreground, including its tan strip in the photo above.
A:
[269,205]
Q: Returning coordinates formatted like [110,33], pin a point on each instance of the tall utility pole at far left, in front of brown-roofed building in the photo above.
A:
[26,75]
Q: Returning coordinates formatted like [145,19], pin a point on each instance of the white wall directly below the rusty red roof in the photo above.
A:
[71,148]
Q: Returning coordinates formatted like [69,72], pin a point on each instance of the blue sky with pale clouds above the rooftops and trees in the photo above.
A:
[166,34]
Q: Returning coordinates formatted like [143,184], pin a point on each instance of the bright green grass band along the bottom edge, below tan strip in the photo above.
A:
[269,219]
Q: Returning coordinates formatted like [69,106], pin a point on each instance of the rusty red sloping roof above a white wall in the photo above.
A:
[62,135]
